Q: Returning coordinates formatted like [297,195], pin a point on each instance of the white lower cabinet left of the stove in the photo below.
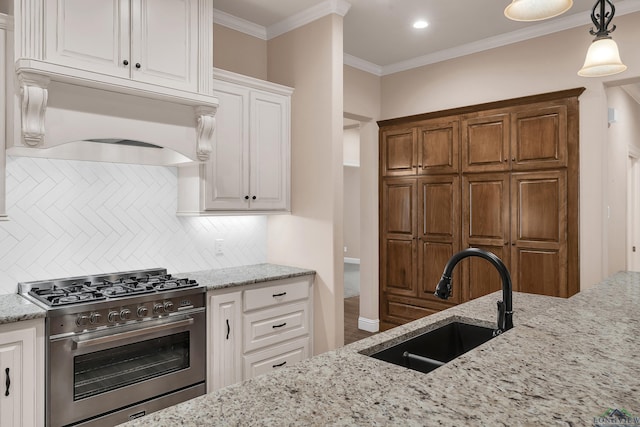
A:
[22,374]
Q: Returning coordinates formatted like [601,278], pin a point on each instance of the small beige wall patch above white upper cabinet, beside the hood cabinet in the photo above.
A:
[239,52]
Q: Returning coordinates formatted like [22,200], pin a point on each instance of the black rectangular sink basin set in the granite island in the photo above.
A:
[433,349]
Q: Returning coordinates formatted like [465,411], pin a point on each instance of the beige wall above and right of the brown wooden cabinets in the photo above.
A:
[536,66]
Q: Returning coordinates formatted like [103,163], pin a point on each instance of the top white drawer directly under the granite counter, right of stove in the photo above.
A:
[281,292]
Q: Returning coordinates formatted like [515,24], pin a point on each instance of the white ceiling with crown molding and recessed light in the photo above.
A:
[378,33]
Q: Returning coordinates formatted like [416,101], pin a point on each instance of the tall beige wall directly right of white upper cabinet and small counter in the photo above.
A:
[309,59]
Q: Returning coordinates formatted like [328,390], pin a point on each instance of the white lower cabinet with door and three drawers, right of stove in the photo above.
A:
[257,328]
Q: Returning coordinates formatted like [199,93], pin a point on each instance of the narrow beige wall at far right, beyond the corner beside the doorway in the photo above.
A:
[622,133]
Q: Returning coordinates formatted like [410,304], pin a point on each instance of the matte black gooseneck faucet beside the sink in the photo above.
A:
[505,307]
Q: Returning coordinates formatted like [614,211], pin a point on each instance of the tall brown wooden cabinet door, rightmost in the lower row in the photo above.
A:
[539,233]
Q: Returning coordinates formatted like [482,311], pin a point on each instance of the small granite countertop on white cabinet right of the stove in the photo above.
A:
[244,275]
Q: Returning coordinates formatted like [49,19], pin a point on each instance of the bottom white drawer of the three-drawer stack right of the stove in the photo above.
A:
[275,358]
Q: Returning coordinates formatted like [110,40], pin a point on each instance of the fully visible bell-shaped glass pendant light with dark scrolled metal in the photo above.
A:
[603,57]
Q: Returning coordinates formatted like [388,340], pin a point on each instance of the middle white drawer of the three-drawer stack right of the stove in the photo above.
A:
[274,325]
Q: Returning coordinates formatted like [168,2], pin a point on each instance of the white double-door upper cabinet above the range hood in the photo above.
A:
[153,41]
